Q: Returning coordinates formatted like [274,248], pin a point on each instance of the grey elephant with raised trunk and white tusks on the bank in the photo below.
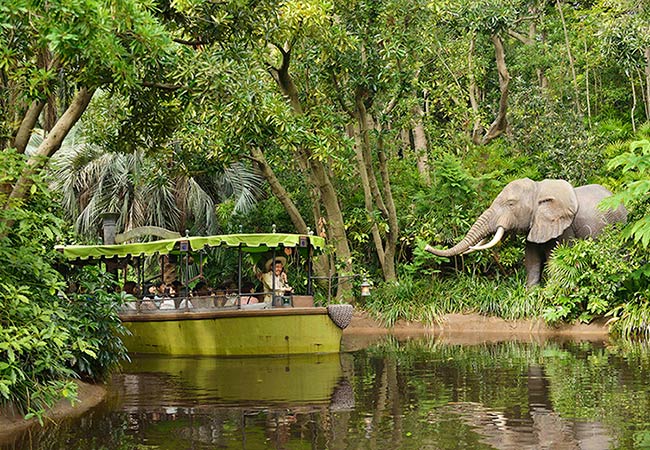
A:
[549,211]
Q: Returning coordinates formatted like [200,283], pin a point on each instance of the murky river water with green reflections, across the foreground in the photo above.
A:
[416,394]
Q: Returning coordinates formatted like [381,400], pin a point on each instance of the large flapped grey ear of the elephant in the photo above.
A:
[556,207]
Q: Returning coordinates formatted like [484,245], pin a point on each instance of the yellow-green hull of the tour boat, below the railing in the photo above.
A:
[281,331]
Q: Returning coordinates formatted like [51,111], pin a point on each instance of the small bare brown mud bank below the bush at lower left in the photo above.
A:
[88,396]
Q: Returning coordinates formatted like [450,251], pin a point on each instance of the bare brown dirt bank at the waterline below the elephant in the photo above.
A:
[469,329]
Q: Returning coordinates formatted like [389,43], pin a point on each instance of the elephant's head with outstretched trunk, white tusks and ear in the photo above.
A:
[543,209]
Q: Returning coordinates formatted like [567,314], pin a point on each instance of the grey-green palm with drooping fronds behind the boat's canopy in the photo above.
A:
[92,181]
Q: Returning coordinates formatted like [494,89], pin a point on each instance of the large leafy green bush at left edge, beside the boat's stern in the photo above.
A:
[47,338]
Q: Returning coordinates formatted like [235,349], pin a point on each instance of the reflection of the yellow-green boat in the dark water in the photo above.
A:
[225,401]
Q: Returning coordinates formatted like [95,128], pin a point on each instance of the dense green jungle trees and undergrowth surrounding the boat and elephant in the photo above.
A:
[382,125]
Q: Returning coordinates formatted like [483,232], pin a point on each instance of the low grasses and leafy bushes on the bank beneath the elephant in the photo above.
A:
[584,280]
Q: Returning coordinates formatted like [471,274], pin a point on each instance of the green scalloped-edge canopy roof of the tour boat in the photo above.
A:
[251,243]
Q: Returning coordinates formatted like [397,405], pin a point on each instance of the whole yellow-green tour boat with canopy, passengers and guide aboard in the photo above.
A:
[184,315]
